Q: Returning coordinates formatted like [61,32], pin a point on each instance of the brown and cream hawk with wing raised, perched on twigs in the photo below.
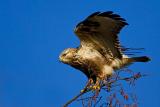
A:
[100,53]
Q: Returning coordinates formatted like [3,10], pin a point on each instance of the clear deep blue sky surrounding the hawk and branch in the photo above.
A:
[34,32]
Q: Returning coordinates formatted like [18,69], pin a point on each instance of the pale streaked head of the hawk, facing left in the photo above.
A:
[67,55]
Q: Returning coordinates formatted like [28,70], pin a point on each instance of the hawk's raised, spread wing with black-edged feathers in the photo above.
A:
[100,31]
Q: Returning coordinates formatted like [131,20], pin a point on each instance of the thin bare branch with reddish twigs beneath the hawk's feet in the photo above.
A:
[114,91]
